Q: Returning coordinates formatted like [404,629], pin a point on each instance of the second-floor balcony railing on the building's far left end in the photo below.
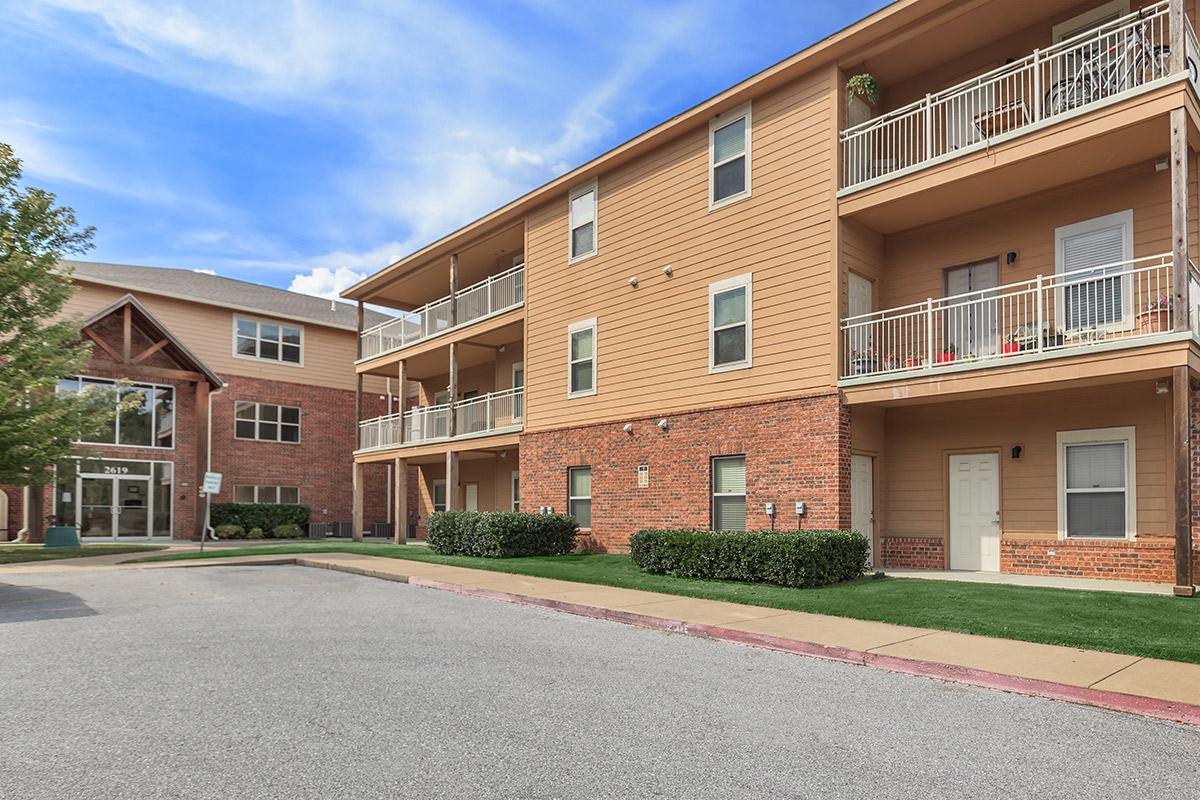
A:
[478,417]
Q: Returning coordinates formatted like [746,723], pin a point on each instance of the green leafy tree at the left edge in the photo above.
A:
[38,346]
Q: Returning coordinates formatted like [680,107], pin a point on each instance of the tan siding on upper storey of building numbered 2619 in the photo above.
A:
[208,332]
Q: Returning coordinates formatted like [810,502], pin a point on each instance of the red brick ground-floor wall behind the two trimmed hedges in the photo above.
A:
[796,450]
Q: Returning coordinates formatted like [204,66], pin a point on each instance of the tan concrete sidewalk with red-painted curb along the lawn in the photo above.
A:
[1149,687]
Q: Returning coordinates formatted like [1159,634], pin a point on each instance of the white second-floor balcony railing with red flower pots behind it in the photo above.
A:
[1066,312]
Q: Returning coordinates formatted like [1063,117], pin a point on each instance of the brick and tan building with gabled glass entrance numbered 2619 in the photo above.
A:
[244,380]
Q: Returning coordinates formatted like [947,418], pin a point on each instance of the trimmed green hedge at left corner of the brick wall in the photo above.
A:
[501,534]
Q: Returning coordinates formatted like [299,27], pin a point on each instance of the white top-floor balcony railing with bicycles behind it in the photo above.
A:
[1076,74]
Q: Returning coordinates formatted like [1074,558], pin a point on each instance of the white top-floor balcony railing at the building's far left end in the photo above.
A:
[497,294]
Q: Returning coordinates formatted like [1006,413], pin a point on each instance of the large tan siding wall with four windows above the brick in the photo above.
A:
[652,345]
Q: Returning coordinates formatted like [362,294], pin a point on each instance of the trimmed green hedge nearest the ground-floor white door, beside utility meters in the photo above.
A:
[808,558]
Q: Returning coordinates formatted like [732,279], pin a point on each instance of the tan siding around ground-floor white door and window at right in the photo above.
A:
[919,441]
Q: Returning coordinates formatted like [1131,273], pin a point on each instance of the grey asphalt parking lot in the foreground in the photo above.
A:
[293,683]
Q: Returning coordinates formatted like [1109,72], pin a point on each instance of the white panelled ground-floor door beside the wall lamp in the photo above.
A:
[975,513]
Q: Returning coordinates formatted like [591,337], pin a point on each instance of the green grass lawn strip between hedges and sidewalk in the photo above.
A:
[1145,625]
